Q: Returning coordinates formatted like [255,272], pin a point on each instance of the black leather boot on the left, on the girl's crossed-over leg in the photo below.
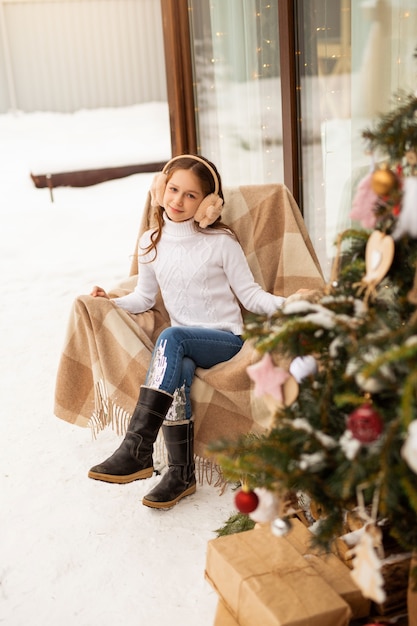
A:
[133,458]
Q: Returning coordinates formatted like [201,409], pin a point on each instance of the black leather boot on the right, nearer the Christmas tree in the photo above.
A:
[179,480]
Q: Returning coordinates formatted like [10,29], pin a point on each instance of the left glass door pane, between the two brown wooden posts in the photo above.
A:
[237,92]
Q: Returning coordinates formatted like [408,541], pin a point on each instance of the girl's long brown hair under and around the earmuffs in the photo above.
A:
[208,185]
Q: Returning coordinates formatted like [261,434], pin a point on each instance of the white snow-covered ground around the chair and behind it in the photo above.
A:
[75,551]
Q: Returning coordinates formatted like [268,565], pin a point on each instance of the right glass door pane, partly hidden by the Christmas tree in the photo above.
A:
[355,58]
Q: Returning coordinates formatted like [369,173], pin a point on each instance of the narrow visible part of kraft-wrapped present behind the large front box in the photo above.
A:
[332,569]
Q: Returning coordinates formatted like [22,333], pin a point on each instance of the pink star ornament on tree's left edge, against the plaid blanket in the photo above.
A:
[273,381]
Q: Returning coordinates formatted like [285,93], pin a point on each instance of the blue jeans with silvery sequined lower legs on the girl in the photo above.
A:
[177,353]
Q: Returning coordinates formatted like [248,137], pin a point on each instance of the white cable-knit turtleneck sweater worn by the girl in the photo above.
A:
[201,277]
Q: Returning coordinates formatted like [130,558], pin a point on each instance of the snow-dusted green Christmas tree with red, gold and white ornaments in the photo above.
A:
[343,435]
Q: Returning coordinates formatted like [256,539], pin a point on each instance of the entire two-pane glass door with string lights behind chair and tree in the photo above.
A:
[351,61]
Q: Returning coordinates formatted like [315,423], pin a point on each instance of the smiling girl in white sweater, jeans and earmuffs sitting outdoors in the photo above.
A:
[200,268]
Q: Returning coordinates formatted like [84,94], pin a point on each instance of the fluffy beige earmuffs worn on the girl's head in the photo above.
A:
[209,209]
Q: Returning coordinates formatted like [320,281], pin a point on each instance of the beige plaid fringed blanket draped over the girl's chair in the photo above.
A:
[107,350]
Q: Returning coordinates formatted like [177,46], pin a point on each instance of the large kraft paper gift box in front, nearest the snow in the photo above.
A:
[262,579]
